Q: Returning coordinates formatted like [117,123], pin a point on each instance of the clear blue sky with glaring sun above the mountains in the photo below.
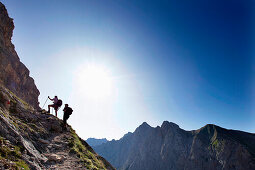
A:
[119,63]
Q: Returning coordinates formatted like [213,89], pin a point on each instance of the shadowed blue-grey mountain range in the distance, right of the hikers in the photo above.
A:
[170,148]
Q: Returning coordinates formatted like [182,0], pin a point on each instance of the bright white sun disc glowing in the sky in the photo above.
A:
[94,81]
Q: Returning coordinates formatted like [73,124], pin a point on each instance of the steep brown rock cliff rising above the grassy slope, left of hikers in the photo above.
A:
[13,74]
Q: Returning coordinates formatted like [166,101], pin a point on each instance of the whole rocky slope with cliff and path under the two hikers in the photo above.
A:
[30,139]
